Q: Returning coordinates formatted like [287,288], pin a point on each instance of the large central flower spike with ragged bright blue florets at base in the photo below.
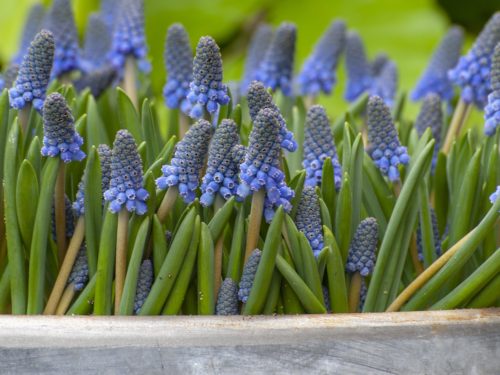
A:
[261,167]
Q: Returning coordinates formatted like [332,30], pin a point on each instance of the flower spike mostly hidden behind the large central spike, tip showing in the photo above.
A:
[258,98]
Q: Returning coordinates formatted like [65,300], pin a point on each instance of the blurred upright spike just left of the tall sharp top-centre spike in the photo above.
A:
[179,62]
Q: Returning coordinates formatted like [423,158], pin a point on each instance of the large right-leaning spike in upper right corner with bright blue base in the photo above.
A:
[472,72]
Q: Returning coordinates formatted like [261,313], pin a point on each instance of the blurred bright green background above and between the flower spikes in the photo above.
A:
[407,30]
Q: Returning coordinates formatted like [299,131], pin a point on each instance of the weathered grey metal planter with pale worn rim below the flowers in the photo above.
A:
[451,342]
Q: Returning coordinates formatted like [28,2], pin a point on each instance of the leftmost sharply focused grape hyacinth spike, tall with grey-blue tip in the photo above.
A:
[34,73]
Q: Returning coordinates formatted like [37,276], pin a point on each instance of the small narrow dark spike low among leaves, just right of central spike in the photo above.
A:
[308,219]
